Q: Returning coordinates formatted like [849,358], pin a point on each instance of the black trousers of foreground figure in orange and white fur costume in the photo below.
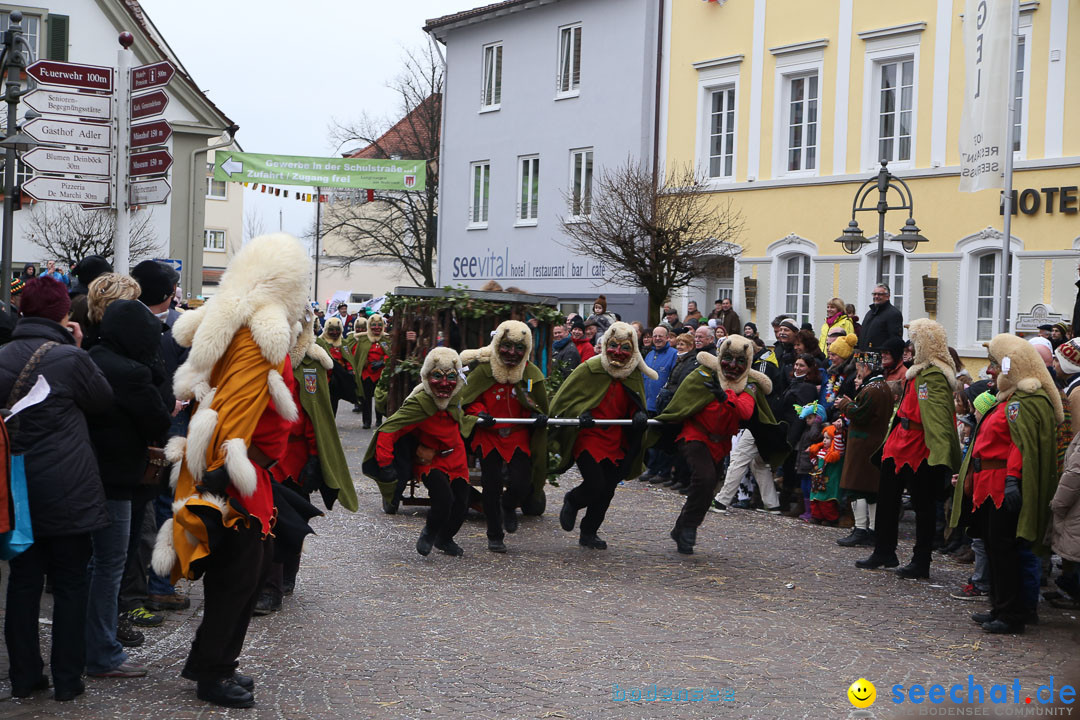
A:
[232,586]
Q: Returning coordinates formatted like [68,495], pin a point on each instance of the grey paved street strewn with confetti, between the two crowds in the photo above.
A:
[769,619]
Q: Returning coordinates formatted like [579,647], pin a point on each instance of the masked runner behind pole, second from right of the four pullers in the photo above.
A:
[607,387]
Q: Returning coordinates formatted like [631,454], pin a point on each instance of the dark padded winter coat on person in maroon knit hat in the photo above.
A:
[64,486]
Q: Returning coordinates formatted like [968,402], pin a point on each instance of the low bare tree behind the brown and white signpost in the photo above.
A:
[67,234]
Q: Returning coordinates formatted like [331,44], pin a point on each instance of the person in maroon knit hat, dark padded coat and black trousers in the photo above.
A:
[67,502]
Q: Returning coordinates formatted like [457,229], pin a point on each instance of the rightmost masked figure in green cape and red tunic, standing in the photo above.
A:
[1010,476]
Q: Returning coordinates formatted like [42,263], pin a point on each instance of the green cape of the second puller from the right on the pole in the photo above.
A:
[583,391]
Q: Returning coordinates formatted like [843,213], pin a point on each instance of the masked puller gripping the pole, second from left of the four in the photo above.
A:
[502,383]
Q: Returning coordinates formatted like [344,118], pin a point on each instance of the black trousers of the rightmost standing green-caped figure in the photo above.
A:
[998,528]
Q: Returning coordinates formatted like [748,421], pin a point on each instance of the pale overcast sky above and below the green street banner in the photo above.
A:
[285,71]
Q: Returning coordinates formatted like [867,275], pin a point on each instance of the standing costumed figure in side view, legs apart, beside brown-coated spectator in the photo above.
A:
[922,453]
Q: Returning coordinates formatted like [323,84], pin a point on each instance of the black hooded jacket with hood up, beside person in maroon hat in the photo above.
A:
[129,345]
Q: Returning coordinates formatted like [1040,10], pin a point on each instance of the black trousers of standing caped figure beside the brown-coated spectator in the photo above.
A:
[924,486]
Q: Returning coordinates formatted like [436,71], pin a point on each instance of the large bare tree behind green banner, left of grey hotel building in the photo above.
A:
[395,226]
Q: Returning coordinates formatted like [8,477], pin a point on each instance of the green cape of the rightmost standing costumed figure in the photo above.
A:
[1034,432]
